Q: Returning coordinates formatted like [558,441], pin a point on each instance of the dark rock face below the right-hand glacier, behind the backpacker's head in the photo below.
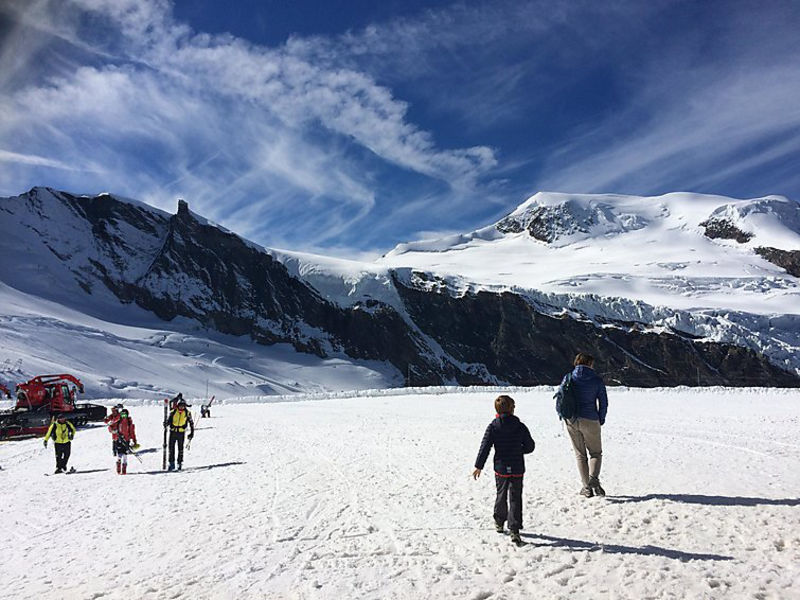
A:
[526,347]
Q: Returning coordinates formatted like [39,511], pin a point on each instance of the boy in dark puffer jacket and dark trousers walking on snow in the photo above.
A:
[511,440]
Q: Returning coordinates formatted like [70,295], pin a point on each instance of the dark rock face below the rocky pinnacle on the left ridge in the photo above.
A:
[204,273]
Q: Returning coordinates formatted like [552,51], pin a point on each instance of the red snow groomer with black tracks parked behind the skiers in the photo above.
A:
[42,398]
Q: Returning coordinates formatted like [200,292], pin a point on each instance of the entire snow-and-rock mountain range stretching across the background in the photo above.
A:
[677,289]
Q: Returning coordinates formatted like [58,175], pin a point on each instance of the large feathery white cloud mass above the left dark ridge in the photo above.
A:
[255,137]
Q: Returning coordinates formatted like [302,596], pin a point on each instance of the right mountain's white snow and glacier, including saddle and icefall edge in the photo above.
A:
[688,263]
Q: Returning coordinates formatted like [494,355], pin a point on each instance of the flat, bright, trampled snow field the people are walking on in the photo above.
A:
[371,497]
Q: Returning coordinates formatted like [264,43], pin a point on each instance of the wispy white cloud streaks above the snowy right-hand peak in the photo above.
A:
[695,134]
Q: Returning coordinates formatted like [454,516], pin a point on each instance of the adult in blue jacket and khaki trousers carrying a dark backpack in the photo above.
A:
[584,430]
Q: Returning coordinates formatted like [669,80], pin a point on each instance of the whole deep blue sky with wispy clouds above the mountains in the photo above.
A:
[348,127]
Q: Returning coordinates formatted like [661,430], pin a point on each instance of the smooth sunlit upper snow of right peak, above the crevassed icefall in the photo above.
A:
[654,250]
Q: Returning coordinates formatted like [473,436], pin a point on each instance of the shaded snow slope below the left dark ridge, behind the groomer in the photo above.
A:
[153,359]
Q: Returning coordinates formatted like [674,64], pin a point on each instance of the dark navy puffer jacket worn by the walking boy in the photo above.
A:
[511,439]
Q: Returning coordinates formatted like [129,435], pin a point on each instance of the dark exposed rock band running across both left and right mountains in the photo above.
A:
[181,266]
